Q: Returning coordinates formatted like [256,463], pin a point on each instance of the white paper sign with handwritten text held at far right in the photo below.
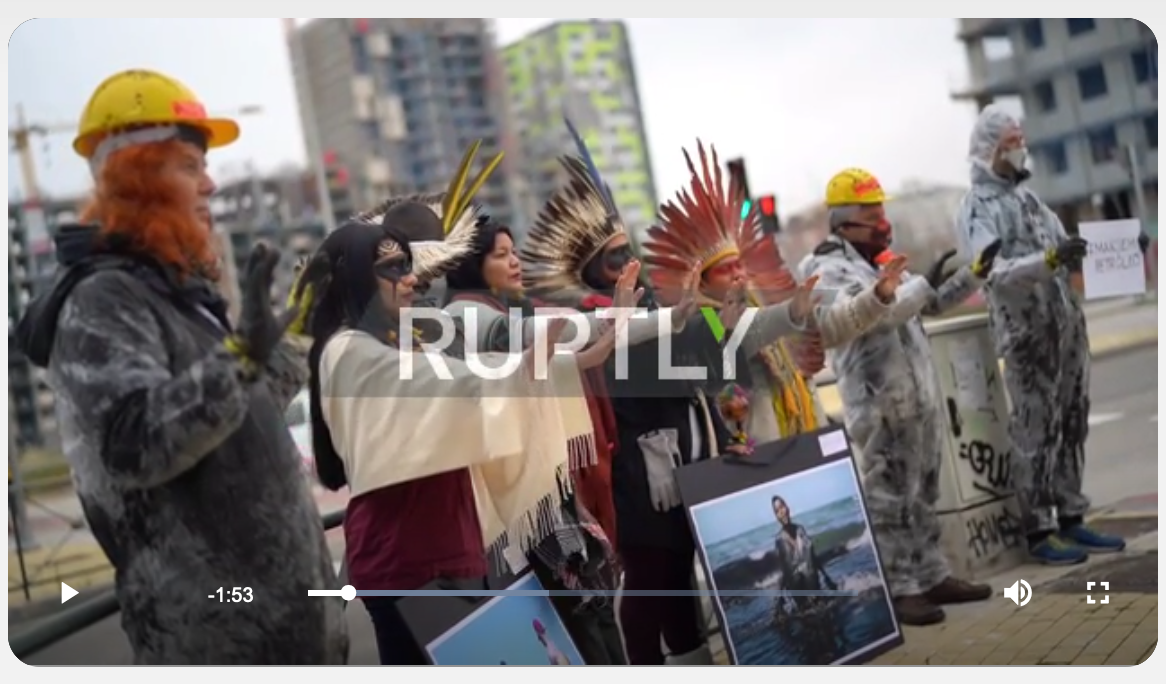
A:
[1114,266]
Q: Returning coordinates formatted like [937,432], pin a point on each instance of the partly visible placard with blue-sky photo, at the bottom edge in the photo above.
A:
[521,630]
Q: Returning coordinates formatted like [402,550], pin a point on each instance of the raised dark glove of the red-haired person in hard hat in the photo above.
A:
[259,329]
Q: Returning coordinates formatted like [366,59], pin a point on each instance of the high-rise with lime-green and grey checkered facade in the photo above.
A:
[582,69]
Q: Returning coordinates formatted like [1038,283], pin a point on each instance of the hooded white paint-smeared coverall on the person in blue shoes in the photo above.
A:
[1041,334]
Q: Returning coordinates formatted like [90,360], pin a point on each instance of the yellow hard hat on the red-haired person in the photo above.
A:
[138,98]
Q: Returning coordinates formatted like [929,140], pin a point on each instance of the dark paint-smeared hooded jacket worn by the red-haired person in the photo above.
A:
[189,478]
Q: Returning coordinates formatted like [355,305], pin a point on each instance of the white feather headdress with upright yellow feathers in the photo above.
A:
[459,215]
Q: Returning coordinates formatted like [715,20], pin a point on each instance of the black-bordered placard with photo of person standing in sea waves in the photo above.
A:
[785,540]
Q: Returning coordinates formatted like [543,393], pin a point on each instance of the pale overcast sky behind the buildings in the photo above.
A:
[800,100]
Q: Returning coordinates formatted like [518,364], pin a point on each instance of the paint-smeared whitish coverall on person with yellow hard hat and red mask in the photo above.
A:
[891,405]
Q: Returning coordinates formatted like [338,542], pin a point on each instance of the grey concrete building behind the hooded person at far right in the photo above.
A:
[1090,91]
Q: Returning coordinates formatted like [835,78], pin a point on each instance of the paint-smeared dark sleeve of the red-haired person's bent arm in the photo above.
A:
[111,363]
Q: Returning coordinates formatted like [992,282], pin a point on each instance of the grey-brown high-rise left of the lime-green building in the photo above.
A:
[397,102]
